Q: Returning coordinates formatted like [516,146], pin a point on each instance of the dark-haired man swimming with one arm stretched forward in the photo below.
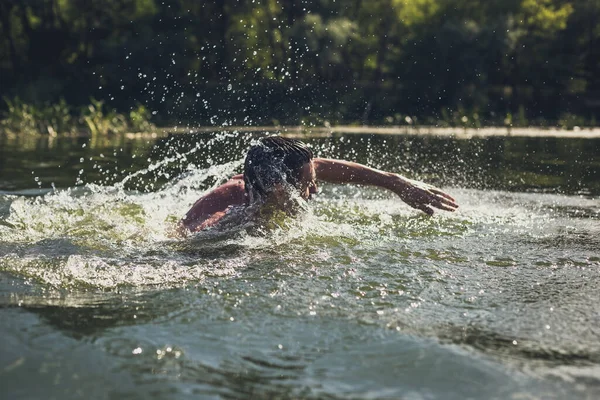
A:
[278,171]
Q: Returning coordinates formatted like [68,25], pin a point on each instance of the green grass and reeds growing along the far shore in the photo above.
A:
[97,120]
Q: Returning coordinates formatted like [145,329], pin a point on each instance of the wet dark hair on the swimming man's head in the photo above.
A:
[274,160]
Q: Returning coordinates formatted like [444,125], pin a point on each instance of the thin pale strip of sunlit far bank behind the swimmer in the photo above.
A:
[459,133]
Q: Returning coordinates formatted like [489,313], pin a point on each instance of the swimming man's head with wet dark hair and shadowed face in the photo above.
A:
[276,163]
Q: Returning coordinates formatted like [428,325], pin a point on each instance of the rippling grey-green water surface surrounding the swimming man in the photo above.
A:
[361,297]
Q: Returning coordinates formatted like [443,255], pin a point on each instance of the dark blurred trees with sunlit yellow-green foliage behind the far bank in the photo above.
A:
[265,62]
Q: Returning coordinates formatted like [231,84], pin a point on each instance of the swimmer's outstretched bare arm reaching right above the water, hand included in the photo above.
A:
[416,194]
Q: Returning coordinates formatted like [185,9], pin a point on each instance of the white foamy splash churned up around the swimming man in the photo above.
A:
[108,237]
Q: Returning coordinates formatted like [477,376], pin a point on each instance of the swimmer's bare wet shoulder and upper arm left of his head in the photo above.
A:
[211,207]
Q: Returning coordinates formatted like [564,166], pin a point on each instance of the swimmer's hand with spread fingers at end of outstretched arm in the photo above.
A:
[421,196]
